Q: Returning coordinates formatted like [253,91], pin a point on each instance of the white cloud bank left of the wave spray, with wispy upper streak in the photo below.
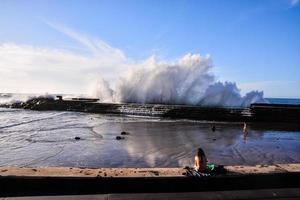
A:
[26,68]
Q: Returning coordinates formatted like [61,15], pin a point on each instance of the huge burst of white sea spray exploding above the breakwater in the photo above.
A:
[188,81]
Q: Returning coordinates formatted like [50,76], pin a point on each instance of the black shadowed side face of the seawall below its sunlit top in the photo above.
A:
[30,186]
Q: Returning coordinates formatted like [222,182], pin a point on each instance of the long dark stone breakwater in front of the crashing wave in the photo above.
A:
[256,112]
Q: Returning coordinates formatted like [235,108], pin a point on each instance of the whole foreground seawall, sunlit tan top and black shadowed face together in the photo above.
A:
[15,181]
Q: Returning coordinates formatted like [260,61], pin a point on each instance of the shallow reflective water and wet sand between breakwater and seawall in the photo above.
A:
[35,138]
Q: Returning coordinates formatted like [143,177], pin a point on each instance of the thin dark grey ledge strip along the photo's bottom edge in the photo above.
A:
[287,193]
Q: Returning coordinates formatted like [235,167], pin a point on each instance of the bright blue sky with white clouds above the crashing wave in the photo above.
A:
[255,43]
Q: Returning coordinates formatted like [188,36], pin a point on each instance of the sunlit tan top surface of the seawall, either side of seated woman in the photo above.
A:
[136,172]
